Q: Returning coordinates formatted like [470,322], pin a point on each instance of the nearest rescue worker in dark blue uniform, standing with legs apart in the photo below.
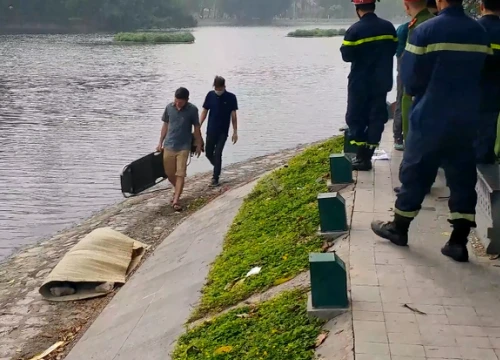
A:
[441,68]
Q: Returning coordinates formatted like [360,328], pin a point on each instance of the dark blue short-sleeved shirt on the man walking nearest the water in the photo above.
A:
[220,109]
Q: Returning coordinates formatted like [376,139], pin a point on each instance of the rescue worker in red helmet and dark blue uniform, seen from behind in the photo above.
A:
[369,45]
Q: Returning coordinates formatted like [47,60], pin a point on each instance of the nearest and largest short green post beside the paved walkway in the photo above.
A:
[328,281]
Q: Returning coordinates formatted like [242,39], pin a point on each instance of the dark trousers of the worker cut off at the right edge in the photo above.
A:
[486,137]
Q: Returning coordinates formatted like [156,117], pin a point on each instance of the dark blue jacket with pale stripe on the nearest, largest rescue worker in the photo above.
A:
[441,68]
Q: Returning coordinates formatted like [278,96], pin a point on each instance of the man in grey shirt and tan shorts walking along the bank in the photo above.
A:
[179,119]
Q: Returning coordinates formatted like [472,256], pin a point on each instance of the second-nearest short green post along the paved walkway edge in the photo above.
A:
[332,213]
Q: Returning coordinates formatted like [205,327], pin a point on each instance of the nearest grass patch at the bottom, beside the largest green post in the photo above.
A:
[278,329]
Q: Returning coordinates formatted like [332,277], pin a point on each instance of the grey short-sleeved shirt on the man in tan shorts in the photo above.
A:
[180,126]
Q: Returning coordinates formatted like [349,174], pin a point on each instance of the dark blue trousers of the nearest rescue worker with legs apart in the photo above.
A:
[422,157]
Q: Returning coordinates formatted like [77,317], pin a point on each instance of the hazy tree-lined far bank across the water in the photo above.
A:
[135,14]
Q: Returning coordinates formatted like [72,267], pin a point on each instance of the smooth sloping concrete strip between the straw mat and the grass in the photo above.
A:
[146,316]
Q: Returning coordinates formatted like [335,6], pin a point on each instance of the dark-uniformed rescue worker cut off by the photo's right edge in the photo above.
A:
[490,85]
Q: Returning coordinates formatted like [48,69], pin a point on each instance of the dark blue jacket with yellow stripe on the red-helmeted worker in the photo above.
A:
[370,45]
